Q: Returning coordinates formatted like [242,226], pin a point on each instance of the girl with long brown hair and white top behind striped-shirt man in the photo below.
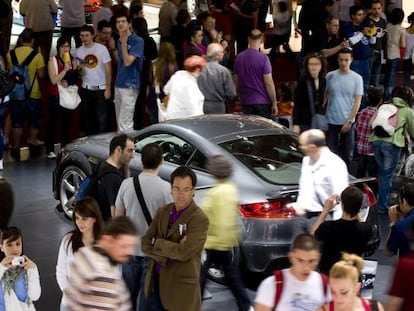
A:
[88,226]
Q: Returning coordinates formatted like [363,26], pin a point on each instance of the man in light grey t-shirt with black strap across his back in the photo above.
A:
[156,193]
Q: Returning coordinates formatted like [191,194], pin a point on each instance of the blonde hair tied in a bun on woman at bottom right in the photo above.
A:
[349,267]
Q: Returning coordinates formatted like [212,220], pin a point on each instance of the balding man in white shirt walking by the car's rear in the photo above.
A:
[323,174]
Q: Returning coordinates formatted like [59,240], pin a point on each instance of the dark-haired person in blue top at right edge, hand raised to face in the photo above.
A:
[401,217]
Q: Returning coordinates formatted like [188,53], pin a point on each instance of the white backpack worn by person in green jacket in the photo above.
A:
[385,120]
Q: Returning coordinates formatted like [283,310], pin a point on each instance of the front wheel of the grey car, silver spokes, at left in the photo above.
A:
[70,180]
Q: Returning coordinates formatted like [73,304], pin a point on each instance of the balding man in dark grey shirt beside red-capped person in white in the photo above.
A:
[215,81]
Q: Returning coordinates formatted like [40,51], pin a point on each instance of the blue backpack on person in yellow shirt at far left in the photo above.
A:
[20,75]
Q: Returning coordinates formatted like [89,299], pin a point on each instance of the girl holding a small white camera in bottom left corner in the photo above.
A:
[20,284]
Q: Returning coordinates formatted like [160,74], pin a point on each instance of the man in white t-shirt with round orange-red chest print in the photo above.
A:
[96,71]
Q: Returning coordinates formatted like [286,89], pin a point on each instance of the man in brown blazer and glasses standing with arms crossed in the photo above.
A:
[174,241]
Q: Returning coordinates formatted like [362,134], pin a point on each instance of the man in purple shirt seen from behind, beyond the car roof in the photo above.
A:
[254,79]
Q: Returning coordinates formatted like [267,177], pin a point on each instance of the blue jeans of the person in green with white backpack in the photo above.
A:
[387,156]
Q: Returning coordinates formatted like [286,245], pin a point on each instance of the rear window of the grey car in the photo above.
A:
[275,158]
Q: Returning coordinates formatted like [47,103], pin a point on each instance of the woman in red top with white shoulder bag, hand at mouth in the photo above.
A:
[66,74]
